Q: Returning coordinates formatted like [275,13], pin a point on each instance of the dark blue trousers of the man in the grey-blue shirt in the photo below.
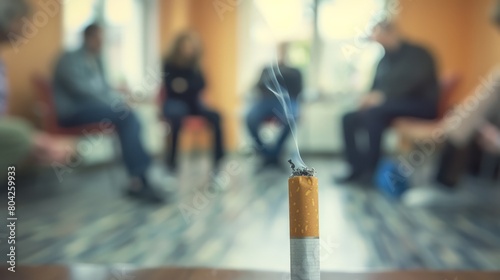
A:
[127,127]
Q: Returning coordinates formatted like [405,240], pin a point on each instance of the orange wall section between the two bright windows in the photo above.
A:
[219,39]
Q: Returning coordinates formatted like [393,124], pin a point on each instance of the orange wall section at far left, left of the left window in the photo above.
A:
[36,56]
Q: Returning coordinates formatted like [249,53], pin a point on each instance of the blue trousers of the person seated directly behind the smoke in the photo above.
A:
[263,110]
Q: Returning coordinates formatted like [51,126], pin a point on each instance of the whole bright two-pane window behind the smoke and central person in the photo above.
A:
[329,35]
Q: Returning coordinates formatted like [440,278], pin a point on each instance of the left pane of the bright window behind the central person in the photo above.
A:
[263,24]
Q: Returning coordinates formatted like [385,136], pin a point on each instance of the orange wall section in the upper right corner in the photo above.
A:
[459,33]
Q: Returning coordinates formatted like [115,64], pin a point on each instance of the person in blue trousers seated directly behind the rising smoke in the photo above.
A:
[268,106]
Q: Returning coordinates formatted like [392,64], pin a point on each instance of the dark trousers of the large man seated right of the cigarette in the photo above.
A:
[374,121]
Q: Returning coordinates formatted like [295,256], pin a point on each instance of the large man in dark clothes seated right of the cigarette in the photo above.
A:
[405,85]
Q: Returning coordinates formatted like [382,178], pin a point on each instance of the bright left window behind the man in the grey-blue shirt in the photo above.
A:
[129,24]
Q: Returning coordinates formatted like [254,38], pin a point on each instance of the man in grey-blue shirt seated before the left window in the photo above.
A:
[83,96]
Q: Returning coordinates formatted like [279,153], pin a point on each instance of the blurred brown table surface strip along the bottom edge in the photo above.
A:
[87,272]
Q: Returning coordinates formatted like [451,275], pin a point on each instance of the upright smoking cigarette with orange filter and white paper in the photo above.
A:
[304,224]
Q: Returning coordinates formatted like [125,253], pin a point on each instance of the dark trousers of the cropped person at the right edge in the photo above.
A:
[471,159]
